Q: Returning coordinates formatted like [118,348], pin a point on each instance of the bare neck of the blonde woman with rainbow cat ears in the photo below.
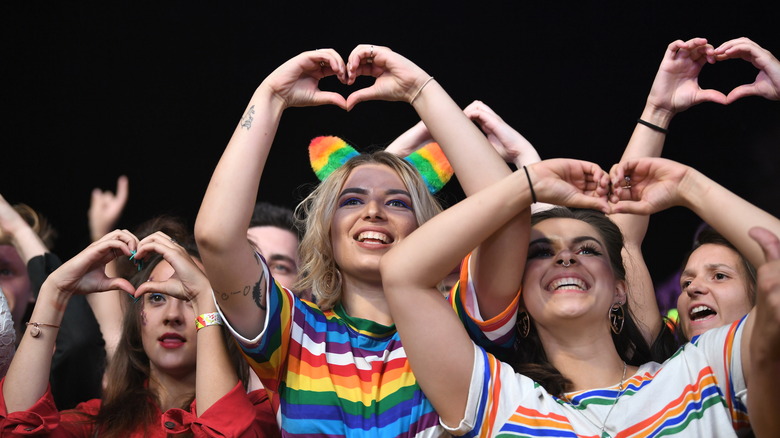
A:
[365,300]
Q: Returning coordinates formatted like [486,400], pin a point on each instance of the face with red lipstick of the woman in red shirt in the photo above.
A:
[168,329]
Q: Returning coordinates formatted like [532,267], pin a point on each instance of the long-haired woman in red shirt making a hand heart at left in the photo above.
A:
[165,360]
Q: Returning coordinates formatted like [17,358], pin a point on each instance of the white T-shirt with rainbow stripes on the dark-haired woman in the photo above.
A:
[698,392]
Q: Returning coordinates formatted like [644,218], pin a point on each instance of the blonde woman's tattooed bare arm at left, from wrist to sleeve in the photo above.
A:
[223,219]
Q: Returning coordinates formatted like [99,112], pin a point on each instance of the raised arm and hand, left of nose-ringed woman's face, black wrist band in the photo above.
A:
[438,347]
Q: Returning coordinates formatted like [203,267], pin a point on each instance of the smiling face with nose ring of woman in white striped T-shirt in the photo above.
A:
[582,291]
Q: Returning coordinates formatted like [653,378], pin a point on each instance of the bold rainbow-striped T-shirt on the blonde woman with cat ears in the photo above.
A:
[330,375]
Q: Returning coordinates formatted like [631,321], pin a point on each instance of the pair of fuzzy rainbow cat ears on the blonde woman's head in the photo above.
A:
[328,153]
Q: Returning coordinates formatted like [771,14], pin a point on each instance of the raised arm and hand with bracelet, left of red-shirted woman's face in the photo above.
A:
[28,376]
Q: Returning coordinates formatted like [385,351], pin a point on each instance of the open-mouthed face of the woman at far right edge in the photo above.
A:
[714,290]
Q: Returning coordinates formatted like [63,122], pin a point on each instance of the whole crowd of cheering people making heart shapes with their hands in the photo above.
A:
[329,320]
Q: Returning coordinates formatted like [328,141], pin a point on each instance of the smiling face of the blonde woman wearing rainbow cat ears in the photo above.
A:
[373,212]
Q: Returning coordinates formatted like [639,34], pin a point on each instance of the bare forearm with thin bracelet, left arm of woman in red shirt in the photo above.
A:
[28,375]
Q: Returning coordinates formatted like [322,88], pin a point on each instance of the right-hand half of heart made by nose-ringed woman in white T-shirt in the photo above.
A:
[646,185]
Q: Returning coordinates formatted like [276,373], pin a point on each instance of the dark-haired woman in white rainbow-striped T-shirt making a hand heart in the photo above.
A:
[579,367]
